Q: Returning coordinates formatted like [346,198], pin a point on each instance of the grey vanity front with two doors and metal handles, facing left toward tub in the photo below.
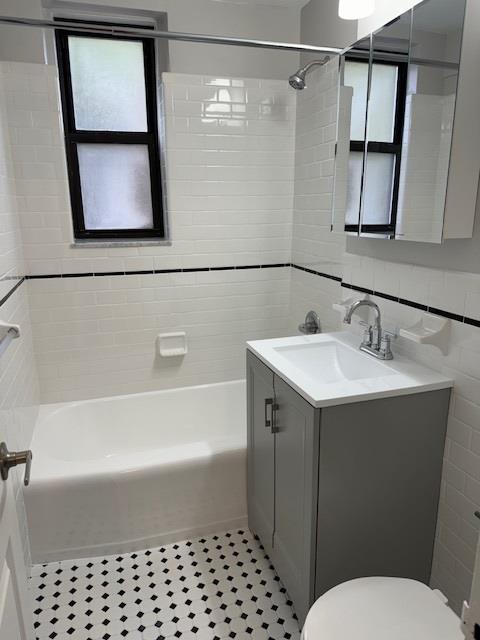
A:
[283,478]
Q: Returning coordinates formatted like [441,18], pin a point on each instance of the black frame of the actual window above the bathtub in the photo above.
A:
[74,136]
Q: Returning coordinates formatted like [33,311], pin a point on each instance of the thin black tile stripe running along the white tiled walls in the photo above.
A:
[280,265]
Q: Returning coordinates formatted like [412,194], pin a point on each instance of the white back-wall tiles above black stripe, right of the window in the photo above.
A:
[230,169]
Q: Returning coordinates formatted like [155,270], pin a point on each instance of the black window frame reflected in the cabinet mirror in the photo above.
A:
[391,148]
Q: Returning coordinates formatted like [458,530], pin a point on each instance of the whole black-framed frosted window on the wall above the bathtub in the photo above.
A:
[108,87]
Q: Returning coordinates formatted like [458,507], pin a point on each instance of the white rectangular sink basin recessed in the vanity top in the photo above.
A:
[331,361]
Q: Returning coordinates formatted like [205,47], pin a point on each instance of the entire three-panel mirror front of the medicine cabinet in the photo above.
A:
[395,120]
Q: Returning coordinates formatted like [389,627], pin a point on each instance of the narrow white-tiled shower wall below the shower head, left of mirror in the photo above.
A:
[313,244]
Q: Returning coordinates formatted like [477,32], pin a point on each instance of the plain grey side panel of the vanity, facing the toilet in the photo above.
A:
[379,485]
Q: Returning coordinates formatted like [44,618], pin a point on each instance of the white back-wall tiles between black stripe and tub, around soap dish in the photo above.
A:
[96,336]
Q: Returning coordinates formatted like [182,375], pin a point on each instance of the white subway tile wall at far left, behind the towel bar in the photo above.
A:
[19,396]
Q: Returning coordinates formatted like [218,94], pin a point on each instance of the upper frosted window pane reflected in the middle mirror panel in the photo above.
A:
[381,107]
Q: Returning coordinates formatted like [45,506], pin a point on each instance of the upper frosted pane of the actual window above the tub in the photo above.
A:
[108,84]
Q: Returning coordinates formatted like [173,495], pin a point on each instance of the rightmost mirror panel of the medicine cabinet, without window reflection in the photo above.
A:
[429,115]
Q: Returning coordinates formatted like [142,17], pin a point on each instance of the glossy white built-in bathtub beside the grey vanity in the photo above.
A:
[130,472]
